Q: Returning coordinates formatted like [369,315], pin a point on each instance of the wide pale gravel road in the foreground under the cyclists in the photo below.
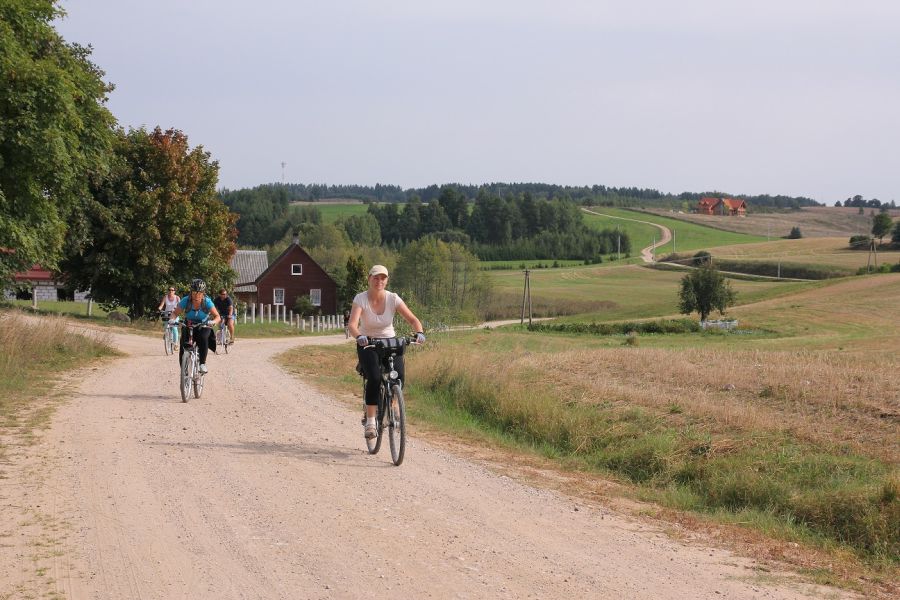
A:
[263,489]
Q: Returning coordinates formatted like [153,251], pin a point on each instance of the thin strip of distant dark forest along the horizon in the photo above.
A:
[594,195]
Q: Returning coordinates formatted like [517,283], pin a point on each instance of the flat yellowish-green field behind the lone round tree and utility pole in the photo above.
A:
[593,293]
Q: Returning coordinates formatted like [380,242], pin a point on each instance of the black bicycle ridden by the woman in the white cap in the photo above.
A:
[391,404]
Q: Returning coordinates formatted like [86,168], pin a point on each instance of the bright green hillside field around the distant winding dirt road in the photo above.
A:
[688,236]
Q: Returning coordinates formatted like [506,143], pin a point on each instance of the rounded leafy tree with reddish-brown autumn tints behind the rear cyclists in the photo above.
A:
[154,221]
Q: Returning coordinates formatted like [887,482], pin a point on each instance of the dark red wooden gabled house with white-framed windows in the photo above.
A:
[294,274]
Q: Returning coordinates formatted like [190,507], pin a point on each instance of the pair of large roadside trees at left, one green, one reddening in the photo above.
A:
[122,213]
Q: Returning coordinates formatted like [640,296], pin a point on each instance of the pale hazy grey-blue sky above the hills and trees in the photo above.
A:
[793,97]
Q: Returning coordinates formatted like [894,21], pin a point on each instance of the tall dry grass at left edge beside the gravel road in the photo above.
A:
[35,355]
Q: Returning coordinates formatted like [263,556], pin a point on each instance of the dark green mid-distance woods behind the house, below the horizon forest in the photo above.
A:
[492,226]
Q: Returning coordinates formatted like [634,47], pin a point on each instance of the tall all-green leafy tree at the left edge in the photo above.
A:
[55,133]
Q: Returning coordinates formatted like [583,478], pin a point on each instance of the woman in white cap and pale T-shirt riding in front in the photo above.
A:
[371,318]
